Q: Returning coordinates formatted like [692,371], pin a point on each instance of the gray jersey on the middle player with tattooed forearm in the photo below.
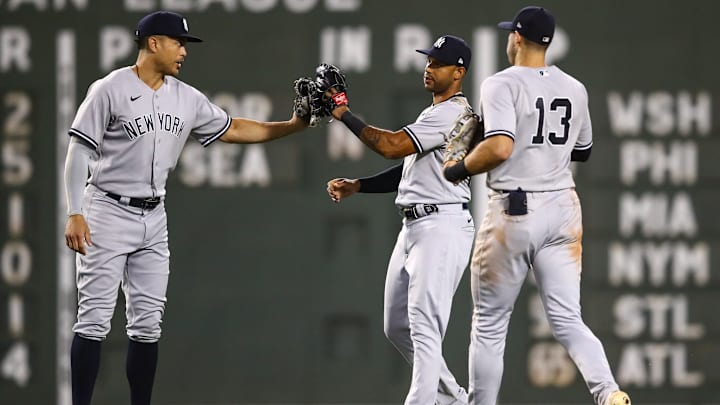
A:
[422,179]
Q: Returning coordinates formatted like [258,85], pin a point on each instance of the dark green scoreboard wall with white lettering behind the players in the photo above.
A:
[275,293]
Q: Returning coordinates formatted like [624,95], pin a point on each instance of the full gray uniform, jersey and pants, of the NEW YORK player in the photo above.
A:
[138,134]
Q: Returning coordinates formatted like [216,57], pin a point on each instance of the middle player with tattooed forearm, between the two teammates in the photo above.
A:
[434,244]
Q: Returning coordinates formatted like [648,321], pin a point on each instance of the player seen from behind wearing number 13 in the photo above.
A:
[536,120]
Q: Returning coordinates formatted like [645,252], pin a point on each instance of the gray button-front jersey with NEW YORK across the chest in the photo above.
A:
[139,133]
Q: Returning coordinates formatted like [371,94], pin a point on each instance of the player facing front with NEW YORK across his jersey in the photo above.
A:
[129,132]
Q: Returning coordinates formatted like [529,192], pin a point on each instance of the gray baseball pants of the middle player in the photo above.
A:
[427,263]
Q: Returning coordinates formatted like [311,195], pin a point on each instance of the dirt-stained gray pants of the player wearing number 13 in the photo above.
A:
[549,240]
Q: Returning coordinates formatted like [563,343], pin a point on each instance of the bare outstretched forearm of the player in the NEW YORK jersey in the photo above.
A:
[243,130]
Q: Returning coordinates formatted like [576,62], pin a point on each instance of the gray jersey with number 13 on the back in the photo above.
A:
[548,119]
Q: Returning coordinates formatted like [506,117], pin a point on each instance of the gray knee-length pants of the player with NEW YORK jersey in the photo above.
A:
[130,249]
